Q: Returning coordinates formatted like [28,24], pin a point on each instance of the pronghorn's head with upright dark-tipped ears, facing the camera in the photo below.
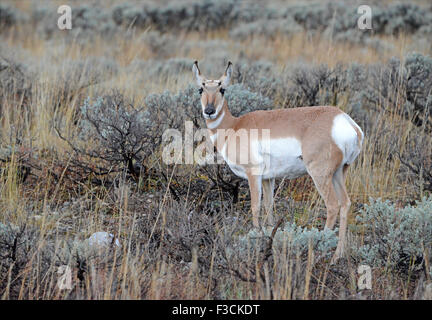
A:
[212,91]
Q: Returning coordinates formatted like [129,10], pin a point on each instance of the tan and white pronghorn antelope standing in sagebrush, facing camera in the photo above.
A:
[320,141]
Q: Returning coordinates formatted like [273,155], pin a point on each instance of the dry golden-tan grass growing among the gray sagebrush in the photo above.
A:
[134,275]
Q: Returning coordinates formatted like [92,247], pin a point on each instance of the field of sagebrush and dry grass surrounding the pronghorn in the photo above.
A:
[70,168]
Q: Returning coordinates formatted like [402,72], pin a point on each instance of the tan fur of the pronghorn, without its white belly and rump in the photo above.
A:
[312,127]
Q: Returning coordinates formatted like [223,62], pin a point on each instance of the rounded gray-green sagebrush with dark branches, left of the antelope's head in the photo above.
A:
[123,131]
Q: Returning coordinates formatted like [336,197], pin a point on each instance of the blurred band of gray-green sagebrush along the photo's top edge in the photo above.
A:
[245,17]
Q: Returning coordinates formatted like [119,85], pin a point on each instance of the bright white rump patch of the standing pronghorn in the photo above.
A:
[345,137]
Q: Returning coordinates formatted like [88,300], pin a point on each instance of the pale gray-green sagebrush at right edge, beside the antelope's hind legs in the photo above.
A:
[398,239]
